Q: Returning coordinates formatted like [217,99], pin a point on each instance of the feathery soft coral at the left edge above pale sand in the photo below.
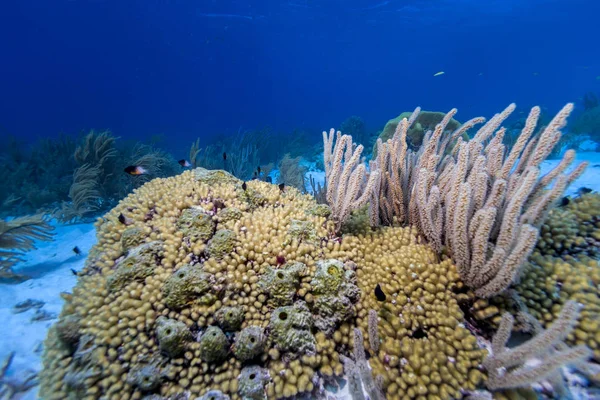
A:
[18,236]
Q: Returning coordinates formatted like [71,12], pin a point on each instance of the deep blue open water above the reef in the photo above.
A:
[197,68]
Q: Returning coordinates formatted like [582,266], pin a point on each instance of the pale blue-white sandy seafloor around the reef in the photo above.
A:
[50,267]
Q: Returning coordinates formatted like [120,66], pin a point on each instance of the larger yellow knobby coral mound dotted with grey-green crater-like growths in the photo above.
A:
[212,285]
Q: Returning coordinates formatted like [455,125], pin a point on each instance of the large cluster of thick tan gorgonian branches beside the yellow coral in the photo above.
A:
[449,186]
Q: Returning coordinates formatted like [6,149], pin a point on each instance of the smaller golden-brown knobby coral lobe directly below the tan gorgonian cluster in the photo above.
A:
[424,348]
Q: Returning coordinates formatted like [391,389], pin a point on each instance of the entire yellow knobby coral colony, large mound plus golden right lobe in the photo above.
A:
[228,279]
